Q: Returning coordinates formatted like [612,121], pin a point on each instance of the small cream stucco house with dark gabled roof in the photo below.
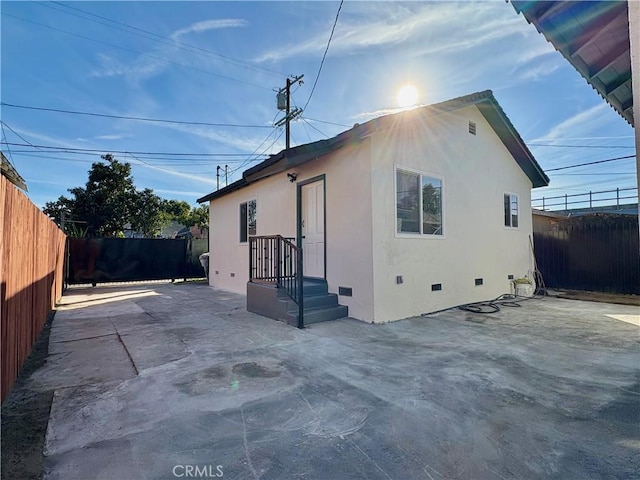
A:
[406,214]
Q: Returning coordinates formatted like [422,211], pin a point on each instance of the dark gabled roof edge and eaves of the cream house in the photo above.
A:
[484,101]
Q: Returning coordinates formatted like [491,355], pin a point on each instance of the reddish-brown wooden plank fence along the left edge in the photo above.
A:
[31,276]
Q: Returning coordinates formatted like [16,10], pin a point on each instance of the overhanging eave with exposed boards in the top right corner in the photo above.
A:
[594,37]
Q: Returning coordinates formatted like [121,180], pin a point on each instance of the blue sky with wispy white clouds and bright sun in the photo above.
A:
[220,62]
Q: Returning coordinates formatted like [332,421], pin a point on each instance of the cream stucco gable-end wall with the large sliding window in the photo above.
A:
[477,171]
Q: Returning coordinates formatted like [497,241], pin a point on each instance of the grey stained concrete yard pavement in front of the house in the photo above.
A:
[159,381]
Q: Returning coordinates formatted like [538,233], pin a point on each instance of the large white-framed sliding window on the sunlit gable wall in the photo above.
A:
[418,203]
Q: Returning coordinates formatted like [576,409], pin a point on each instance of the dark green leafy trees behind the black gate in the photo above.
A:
[109,202]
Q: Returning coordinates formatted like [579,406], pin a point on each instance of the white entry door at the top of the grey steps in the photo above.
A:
[313,229]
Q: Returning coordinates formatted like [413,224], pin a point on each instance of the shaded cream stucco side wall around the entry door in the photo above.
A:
[349,234]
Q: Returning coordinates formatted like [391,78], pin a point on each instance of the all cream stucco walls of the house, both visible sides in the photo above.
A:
[363,250]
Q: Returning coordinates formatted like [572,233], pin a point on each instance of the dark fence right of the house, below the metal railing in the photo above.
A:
[597,252]
